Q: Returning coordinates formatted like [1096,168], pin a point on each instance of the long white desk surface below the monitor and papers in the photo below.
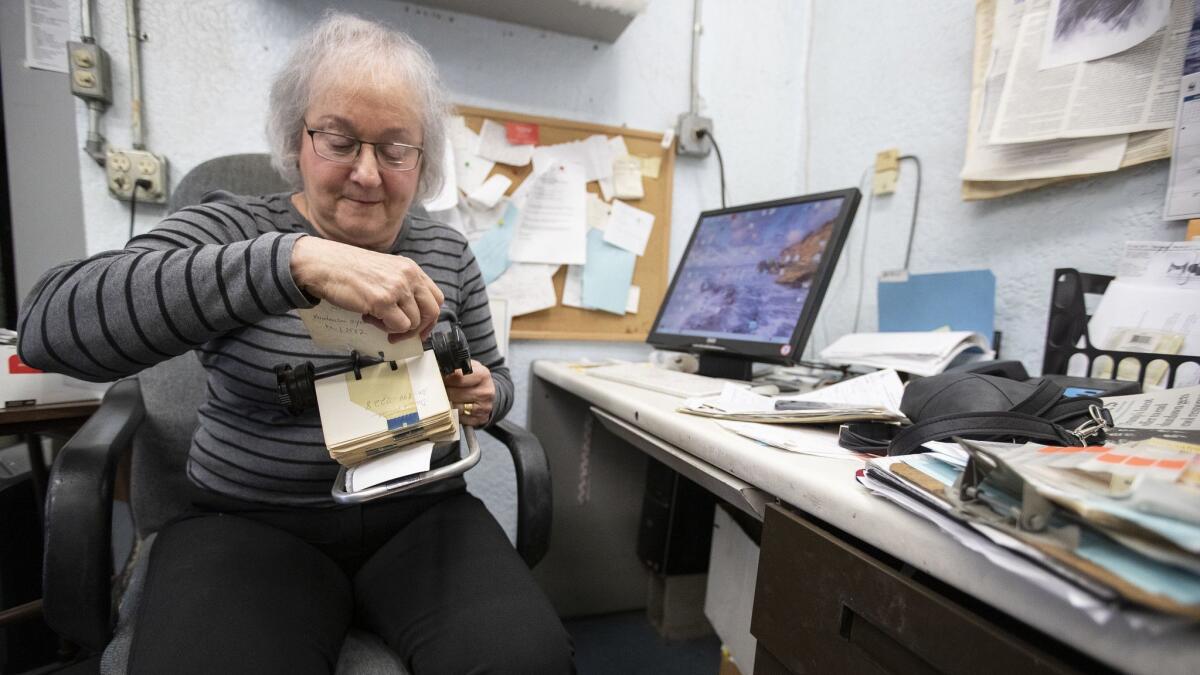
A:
[827,491]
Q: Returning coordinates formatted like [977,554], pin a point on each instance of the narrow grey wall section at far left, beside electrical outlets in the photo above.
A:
[44,176]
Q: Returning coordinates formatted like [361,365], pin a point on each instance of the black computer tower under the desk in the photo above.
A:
[677,523]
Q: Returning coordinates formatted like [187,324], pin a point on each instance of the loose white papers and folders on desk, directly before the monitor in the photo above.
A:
[875,397]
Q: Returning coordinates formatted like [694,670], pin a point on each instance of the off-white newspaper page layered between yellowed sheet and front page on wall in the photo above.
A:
[1022,162]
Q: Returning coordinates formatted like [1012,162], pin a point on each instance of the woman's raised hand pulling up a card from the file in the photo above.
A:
[389,291]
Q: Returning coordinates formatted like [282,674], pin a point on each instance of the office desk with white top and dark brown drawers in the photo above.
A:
[565,402]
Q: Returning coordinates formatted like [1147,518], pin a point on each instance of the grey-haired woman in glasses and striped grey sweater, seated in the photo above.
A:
[268,574]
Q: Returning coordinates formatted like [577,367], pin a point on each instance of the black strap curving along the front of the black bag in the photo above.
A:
[1004,425]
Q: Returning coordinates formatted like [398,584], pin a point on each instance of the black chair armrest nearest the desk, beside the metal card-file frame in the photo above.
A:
[536,503]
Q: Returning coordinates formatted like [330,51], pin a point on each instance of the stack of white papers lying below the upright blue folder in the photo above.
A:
[920,354]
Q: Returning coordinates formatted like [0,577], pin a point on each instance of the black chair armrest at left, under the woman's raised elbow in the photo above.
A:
[79,565]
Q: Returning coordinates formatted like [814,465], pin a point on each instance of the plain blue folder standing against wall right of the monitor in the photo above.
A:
[964,301]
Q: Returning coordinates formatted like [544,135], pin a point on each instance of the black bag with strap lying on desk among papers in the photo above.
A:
[983,408]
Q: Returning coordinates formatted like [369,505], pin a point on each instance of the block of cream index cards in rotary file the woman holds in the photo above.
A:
[386,410]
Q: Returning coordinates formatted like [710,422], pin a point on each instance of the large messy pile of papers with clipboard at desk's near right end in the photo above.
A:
[1100,527]
